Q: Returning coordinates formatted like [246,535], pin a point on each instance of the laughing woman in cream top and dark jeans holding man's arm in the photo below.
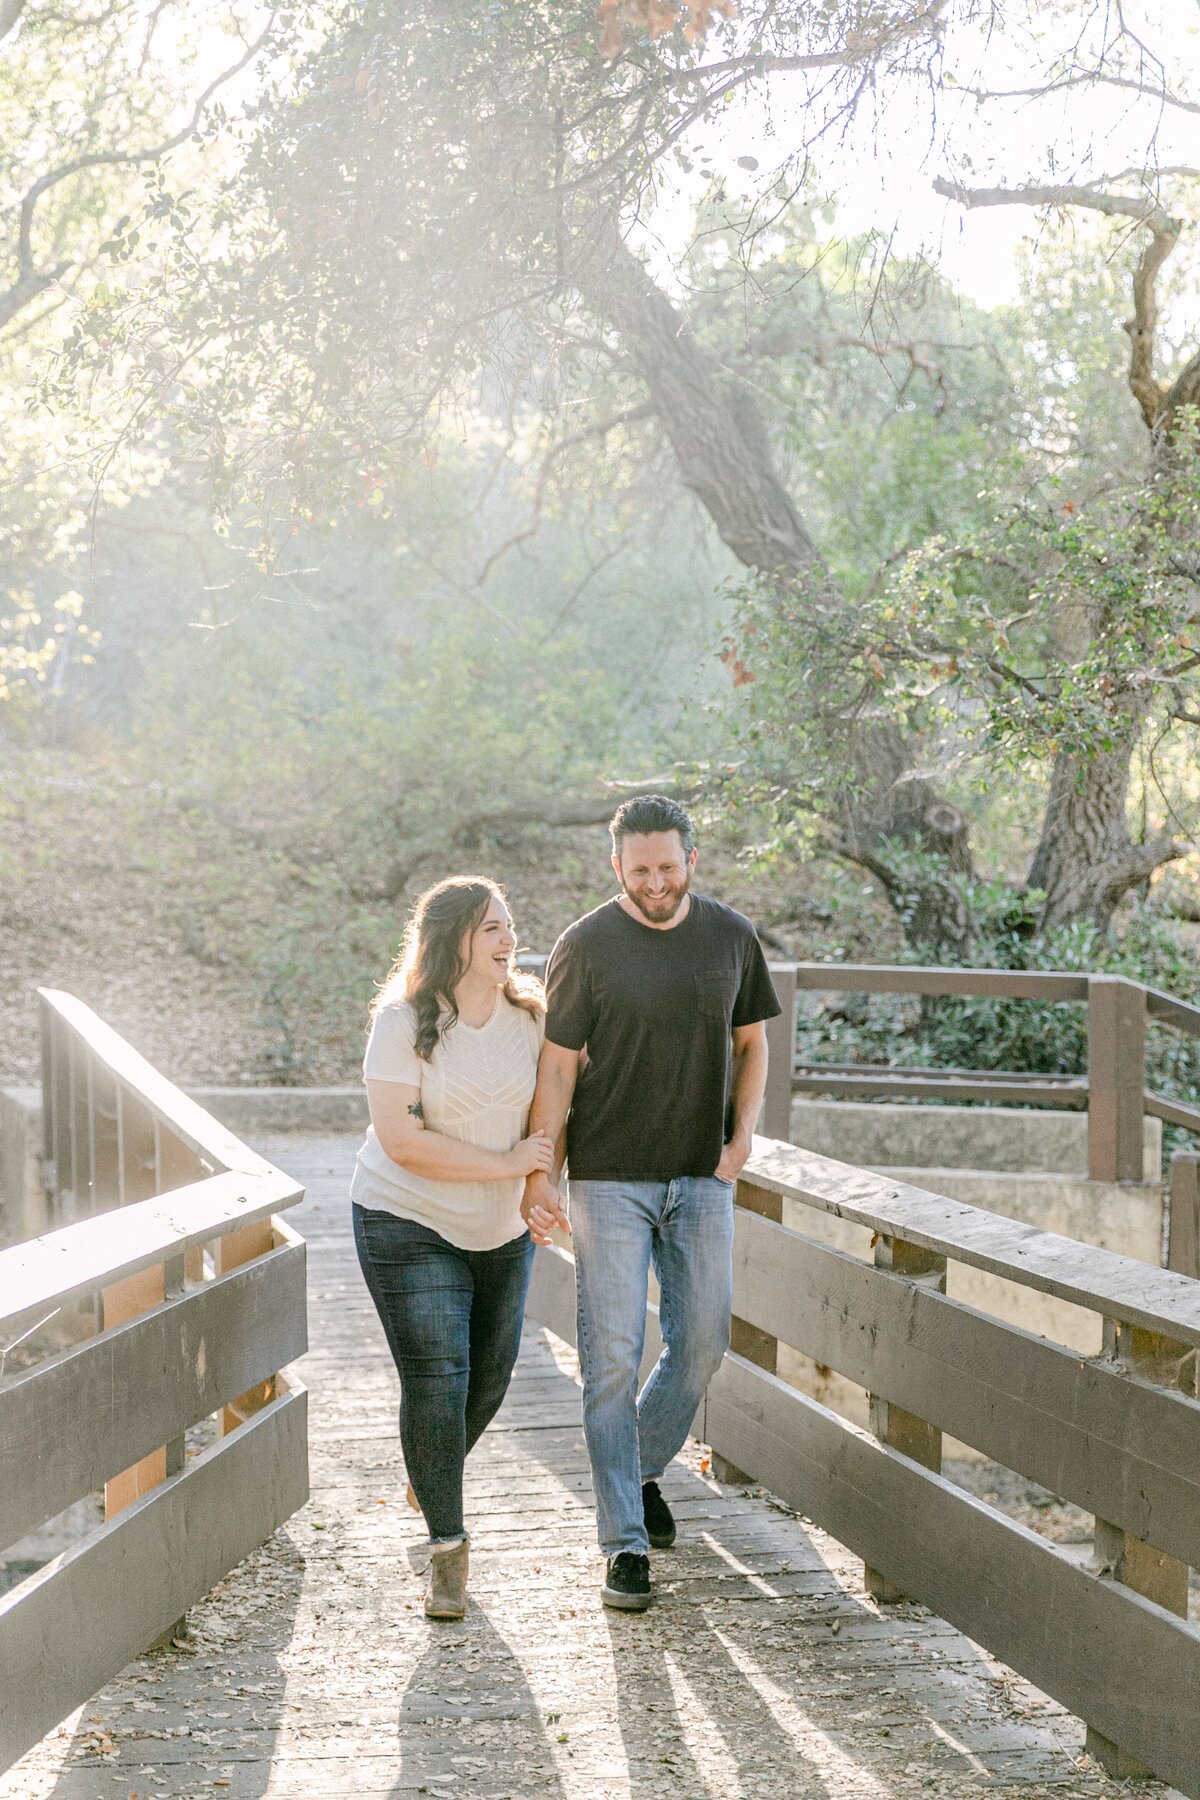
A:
[451,1070]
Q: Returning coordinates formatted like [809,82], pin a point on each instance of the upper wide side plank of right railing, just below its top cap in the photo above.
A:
[1120,1448]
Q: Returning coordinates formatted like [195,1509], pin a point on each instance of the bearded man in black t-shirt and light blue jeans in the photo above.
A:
[668,994]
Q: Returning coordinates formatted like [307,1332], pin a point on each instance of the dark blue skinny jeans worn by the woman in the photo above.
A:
[452,1322]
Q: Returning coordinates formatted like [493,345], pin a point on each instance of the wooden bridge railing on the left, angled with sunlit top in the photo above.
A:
[168,1295]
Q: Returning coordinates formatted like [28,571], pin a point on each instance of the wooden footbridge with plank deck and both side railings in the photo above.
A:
[836,1621]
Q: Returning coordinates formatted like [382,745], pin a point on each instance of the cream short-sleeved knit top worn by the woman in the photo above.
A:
[478,1086]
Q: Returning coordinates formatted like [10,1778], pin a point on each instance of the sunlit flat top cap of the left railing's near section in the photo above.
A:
[44,1273]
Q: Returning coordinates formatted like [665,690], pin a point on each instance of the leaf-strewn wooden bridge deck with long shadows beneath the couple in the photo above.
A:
[764,1669]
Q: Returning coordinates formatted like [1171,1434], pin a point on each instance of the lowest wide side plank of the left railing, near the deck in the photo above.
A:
[143,1570]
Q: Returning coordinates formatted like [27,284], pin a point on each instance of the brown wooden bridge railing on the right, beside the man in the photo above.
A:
[1115,1434]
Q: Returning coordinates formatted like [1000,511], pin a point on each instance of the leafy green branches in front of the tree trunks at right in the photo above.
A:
[1044,631]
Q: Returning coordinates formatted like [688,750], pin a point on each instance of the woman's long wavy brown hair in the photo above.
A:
[431,958]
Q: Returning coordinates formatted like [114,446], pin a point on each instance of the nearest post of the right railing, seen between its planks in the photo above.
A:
[1122,1556]
